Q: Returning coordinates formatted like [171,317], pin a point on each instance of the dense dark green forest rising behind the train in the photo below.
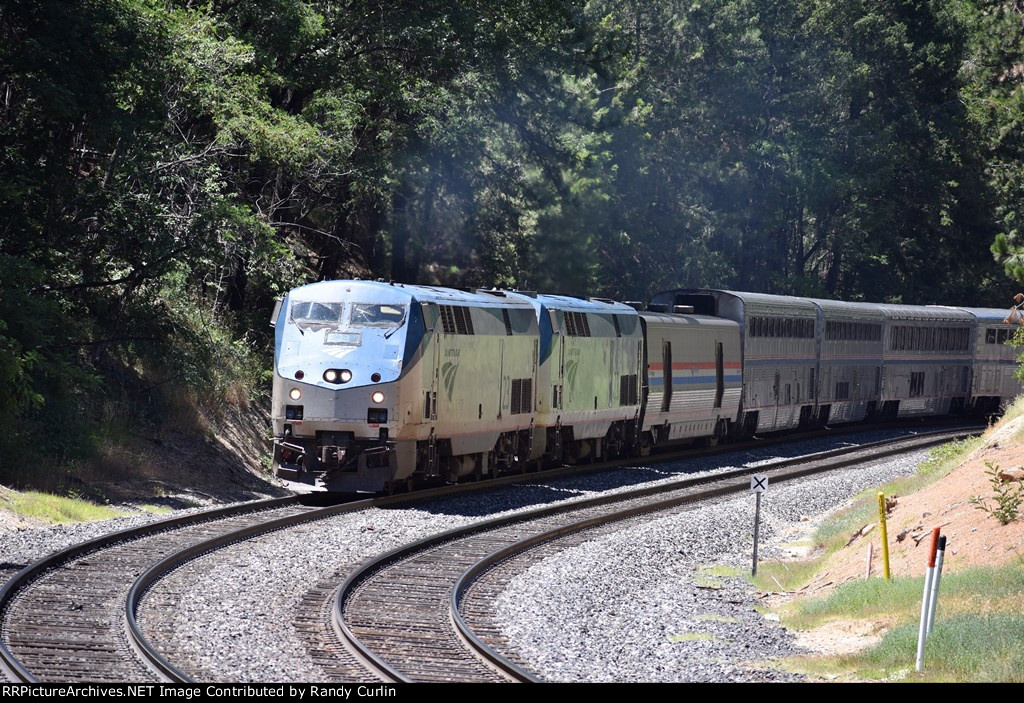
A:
[169,168]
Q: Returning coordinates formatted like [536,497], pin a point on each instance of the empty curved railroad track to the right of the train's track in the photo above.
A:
[422,612]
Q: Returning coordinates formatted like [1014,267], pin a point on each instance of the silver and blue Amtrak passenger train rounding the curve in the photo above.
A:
[382,386]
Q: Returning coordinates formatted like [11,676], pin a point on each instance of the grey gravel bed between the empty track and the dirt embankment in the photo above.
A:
[639,606]
